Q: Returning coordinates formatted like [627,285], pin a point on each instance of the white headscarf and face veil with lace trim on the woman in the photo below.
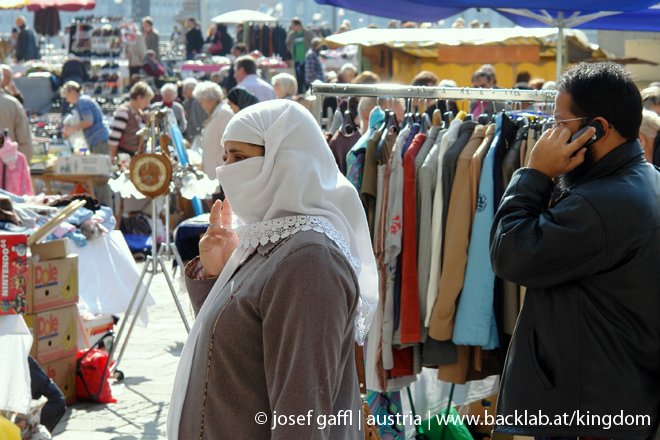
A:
[295,186]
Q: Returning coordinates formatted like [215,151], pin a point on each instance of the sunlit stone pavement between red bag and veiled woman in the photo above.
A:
[149,365]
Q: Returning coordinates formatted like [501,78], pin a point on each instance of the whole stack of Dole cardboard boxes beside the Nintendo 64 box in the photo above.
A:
[52,313]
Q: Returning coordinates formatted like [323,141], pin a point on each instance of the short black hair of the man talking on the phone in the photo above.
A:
[607,90]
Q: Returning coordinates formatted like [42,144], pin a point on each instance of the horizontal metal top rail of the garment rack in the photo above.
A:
[323,90]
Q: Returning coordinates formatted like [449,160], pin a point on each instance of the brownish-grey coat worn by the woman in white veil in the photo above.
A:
[284,346]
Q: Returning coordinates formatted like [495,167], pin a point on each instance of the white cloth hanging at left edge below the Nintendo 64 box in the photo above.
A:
[15,343]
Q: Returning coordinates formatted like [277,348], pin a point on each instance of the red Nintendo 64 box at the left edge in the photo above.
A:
[13,273]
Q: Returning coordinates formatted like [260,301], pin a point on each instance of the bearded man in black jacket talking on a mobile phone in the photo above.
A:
[584,360]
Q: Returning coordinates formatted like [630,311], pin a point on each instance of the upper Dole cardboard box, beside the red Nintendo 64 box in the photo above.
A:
[52,284]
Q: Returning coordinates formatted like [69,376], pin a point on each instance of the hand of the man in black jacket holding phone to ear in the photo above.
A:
[554,155]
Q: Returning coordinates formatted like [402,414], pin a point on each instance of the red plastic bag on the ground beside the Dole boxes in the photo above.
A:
[91,383]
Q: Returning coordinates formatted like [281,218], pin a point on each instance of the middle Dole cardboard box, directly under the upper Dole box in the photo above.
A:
[55,333]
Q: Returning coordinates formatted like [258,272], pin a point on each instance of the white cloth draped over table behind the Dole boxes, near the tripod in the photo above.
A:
[108,276]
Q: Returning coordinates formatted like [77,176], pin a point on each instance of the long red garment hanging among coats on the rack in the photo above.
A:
[410,320]
